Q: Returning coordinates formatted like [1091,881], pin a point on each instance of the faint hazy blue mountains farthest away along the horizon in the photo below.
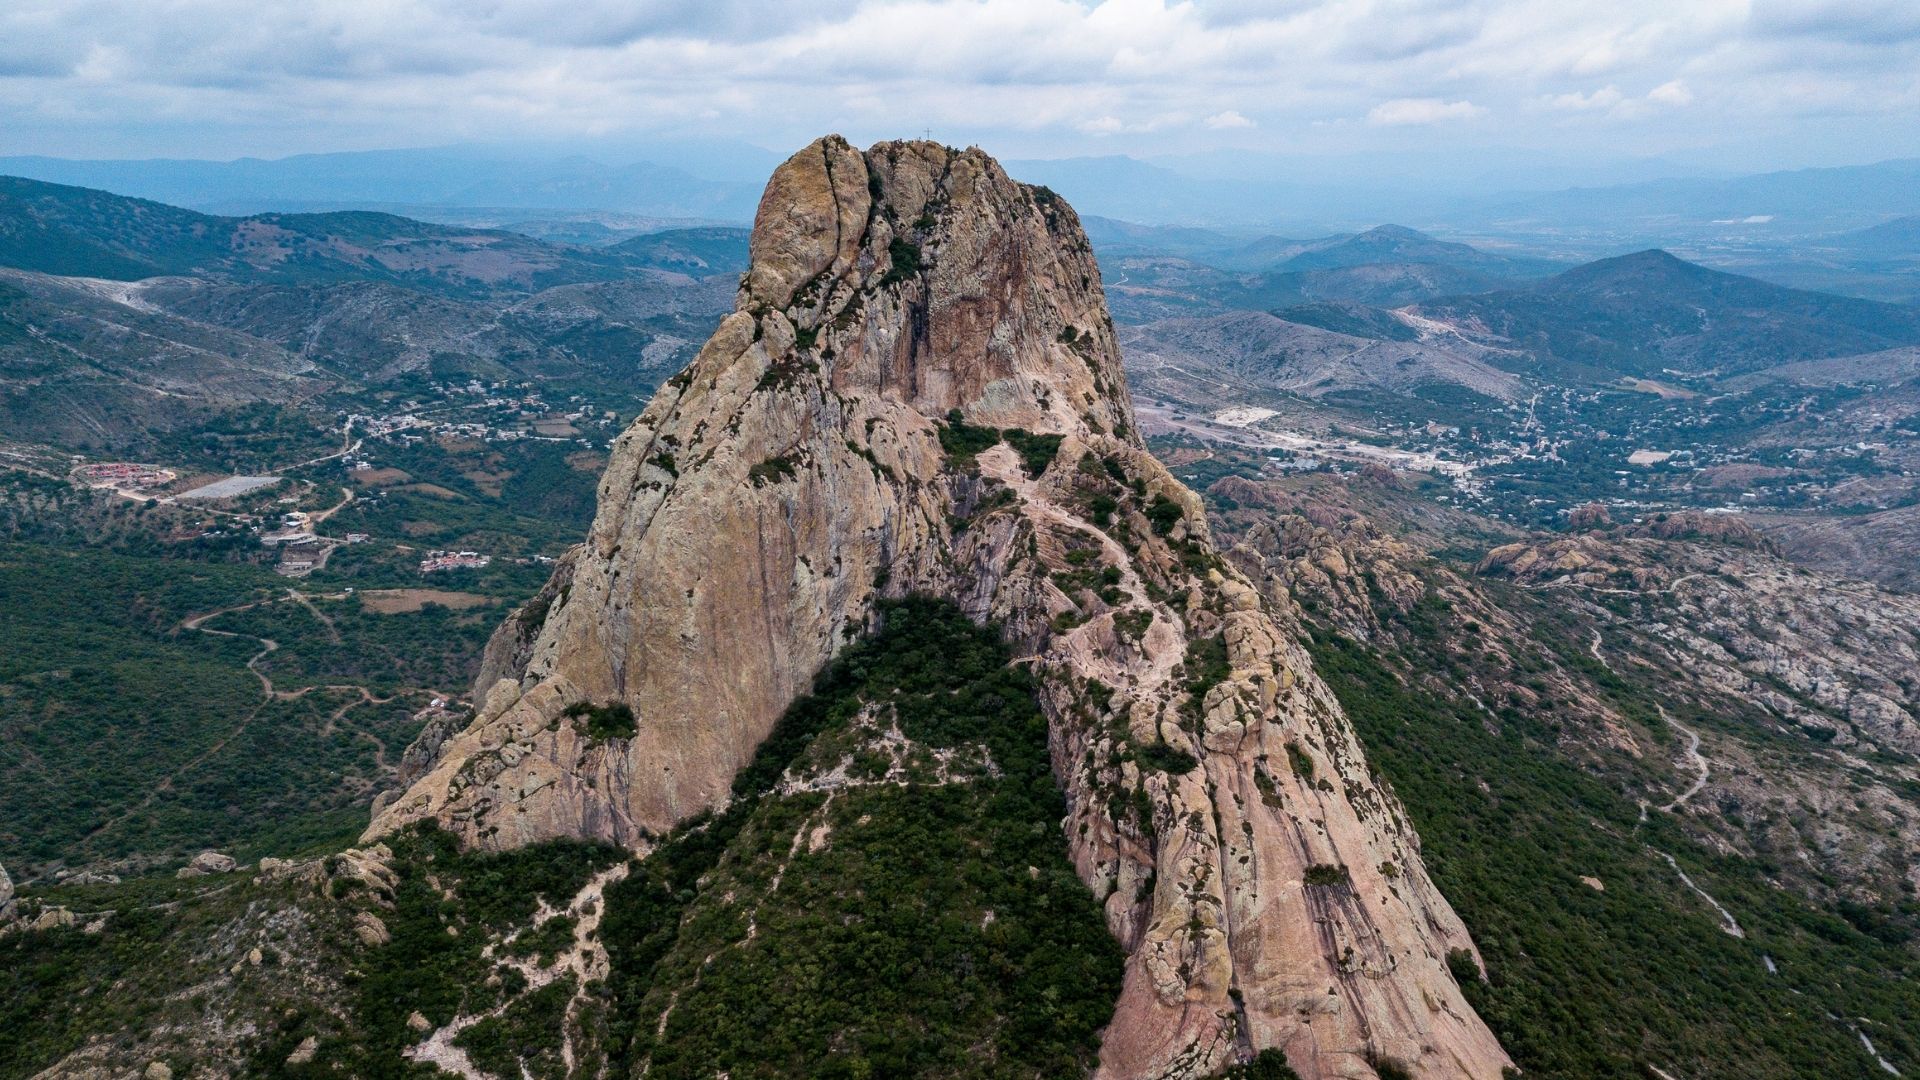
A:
[719,184]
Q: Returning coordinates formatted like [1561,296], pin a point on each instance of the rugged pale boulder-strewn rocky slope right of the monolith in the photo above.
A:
[1777,702]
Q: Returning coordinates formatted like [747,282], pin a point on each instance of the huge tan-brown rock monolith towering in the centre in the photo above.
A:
[1268,891]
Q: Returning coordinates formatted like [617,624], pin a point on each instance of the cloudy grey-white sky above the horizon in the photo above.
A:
[1708,84]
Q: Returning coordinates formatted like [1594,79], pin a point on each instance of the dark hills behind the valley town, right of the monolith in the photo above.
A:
[1393,341]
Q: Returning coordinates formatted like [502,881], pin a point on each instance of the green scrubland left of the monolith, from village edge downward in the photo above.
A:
[124,733]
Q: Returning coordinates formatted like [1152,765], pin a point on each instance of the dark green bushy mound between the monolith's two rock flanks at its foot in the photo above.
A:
[953,895]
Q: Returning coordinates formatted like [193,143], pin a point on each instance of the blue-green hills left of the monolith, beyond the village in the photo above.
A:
[124,318]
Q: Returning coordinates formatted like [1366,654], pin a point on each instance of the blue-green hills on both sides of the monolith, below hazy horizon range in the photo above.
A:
[276,307]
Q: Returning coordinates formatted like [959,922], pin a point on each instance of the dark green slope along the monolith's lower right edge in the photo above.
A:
[1602,985]
